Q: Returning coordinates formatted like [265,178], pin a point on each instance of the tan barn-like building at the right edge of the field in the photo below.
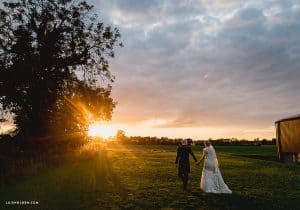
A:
[288,139]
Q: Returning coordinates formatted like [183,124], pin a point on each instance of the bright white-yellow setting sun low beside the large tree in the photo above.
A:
[101,130]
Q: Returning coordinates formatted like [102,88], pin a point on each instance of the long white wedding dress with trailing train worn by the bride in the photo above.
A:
[211,179]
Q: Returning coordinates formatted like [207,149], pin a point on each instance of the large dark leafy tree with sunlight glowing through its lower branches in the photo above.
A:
[53,57]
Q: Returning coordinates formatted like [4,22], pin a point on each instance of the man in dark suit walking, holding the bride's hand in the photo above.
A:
[183,153]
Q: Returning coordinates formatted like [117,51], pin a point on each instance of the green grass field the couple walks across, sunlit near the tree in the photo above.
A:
[145,177]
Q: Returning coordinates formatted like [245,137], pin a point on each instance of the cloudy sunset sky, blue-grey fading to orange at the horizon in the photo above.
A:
[204,68]
